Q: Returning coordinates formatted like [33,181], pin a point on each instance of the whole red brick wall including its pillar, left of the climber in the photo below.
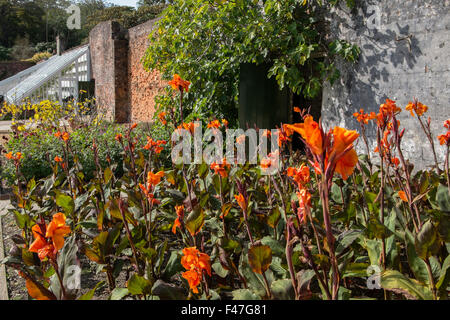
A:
[122,86]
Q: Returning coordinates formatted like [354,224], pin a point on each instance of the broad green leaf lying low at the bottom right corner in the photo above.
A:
[397,282]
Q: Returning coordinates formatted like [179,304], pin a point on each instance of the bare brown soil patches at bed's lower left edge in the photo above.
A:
[89,275]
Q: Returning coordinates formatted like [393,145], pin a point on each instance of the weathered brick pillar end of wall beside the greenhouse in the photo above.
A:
[109,59]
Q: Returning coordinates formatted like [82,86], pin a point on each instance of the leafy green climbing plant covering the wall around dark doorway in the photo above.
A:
[206,41]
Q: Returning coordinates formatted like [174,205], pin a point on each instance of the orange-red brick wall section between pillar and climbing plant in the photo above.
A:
[143,85]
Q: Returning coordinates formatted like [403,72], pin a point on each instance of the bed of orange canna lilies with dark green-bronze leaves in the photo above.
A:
[316,229]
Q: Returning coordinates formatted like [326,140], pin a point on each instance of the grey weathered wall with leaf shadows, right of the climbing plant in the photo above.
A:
[405,53]
